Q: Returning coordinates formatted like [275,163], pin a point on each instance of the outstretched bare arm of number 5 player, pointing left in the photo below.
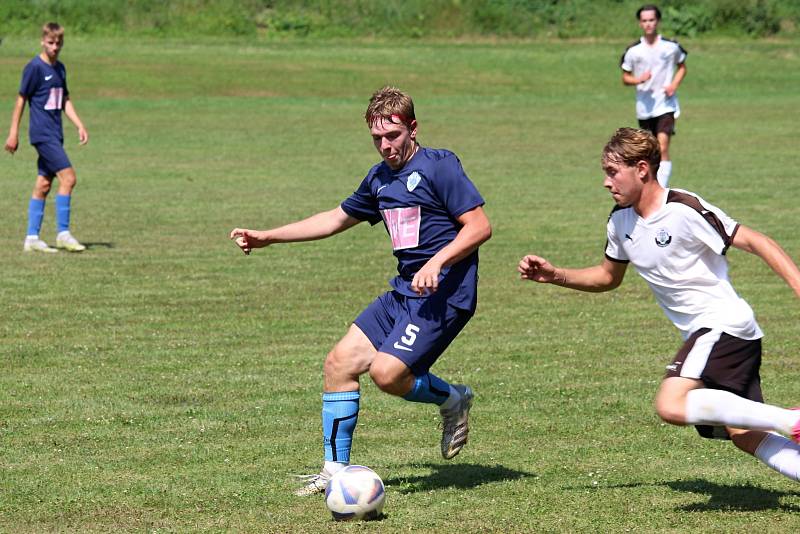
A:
[319,226]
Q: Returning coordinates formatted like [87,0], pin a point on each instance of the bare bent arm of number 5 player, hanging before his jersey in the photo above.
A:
[475,230]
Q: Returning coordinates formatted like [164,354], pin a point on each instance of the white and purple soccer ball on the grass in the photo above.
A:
[355,492]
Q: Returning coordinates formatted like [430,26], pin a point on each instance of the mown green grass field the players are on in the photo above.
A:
[161,381]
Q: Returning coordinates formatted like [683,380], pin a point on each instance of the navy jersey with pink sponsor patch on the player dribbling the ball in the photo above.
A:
[418,205]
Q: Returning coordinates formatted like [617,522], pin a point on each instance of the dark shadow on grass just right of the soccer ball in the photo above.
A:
[461,476]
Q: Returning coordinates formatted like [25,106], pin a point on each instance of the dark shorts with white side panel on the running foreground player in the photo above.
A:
[723,362]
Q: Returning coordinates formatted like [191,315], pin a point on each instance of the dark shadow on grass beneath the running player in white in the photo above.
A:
[747,498]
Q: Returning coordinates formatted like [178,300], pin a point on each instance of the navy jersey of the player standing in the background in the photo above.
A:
[44,86]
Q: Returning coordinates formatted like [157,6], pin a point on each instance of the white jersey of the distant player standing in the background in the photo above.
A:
[660,59]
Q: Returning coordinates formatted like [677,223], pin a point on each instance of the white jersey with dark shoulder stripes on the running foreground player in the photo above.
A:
[680,252]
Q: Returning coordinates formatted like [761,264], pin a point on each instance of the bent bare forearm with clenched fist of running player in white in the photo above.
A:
[604,277]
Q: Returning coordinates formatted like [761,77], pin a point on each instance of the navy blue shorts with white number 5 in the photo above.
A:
[415,330]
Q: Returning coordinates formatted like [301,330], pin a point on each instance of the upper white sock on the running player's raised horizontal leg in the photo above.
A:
[720,408]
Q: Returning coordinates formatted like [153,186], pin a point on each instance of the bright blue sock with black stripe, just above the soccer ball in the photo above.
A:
[339,416]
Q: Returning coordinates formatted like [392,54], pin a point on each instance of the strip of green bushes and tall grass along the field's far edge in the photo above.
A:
[395,18]
